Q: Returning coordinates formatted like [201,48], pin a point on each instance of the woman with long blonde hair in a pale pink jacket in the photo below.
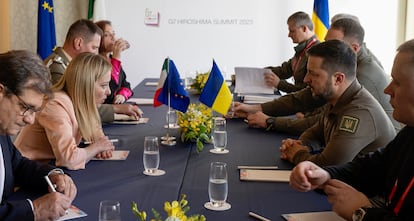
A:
[71,116]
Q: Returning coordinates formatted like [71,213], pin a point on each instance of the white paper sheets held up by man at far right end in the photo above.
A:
[251,80]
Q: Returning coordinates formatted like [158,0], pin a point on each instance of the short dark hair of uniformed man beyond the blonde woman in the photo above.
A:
[83,28]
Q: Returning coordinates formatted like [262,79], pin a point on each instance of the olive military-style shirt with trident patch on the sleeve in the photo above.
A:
[355,125]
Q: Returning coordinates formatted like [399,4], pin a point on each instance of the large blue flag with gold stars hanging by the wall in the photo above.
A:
[46,34]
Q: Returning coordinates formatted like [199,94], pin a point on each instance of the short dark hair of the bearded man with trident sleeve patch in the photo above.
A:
[337,56]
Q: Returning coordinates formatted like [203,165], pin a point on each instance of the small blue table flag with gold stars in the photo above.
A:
[174,89]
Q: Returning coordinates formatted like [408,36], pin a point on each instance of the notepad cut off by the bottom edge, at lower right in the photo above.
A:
[314,216]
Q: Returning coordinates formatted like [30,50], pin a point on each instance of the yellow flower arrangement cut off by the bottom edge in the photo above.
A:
[176,211]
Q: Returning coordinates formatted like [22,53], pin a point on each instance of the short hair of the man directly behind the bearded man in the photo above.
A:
[351,29]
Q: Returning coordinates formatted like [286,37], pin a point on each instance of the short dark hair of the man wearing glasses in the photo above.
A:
[21,70]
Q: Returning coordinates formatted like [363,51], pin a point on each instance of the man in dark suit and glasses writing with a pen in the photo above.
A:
[24,84]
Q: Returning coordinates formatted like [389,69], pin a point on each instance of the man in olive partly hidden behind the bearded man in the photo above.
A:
[369,73]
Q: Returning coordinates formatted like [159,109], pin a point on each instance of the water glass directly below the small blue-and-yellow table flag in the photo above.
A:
[219,136]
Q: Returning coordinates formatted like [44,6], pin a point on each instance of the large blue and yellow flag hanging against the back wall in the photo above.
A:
[320,18]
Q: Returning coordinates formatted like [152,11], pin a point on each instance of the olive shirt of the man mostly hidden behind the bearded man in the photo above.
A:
[370,75]
